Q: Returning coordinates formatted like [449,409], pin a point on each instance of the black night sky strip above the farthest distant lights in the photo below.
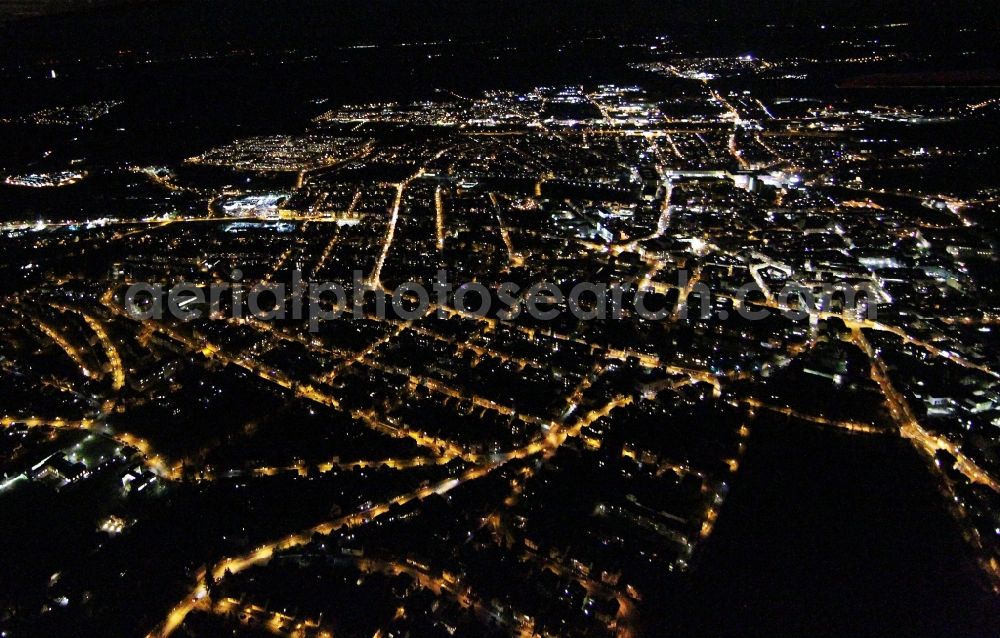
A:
[88,25]
